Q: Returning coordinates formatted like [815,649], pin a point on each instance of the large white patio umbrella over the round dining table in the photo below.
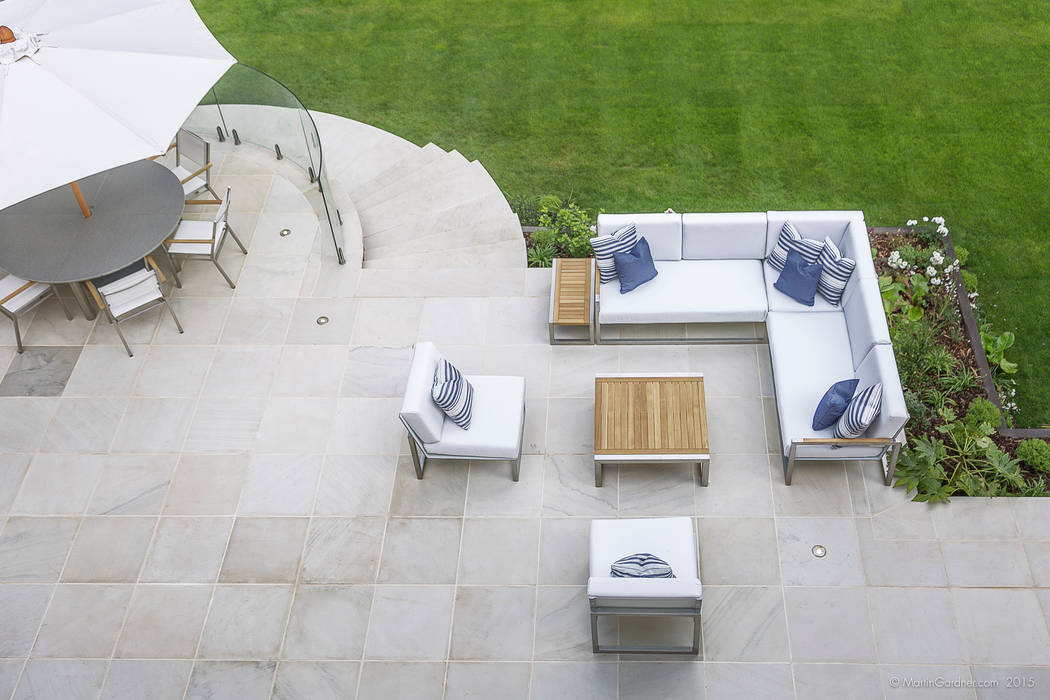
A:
[88,86]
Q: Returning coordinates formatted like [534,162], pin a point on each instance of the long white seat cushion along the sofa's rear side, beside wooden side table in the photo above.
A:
[690,292]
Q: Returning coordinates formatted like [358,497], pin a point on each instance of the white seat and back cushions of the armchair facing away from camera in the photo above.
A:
[670,539]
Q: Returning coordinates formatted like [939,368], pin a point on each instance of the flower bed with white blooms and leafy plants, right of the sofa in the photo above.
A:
[959,443]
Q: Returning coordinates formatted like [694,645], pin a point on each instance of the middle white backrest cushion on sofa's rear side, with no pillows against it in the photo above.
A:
[724,237]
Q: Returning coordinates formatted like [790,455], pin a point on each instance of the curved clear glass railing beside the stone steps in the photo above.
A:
[249,107]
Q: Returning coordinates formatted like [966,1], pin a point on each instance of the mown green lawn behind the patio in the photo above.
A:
[897,109]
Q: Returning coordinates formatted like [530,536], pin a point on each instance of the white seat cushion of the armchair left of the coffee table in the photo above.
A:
[496,429]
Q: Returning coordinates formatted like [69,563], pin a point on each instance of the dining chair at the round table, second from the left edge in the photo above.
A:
[130,292]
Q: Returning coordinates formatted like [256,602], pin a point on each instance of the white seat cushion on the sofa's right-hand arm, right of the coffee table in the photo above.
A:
[810,353]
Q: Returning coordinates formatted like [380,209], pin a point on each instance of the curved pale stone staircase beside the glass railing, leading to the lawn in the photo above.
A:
[424,207]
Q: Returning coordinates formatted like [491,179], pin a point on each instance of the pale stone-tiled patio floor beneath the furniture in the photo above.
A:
[233,514]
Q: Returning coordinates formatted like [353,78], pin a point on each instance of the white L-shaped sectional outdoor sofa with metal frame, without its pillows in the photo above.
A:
[712,270]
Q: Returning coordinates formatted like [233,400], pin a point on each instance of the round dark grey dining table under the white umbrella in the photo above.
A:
[135,208]
